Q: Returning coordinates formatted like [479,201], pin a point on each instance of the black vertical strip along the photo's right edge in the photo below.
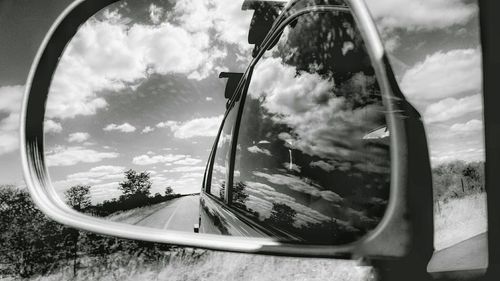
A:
[490,44]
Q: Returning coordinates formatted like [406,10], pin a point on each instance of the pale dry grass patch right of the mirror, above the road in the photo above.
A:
[459,219]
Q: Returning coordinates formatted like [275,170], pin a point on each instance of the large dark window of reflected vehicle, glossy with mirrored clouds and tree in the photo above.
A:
[313,154]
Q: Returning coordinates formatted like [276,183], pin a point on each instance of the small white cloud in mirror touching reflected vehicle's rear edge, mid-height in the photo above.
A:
[199,127]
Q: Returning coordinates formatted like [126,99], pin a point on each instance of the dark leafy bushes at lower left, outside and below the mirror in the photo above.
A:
[30,243]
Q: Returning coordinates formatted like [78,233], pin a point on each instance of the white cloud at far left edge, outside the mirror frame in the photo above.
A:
[10,103]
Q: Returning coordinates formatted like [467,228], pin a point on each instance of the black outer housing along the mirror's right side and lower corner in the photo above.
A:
[419,198]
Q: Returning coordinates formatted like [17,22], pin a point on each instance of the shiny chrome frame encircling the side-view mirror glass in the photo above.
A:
[391,238]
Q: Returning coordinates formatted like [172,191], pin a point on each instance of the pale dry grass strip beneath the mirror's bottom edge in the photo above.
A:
[217,266]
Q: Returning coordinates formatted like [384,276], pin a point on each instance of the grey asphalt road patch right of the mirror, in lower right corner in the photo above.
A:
[468,255]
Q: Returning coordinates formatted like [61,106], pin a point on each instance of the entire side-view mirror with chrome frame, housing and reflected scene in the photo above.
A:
[344,168]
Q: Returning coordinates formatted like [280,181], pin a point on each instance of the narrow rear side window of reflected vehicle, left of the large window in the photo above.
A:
[220,165]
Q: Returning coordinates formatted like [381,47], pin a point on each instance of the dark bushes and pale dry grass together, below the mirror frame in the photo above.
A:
[33,247]
